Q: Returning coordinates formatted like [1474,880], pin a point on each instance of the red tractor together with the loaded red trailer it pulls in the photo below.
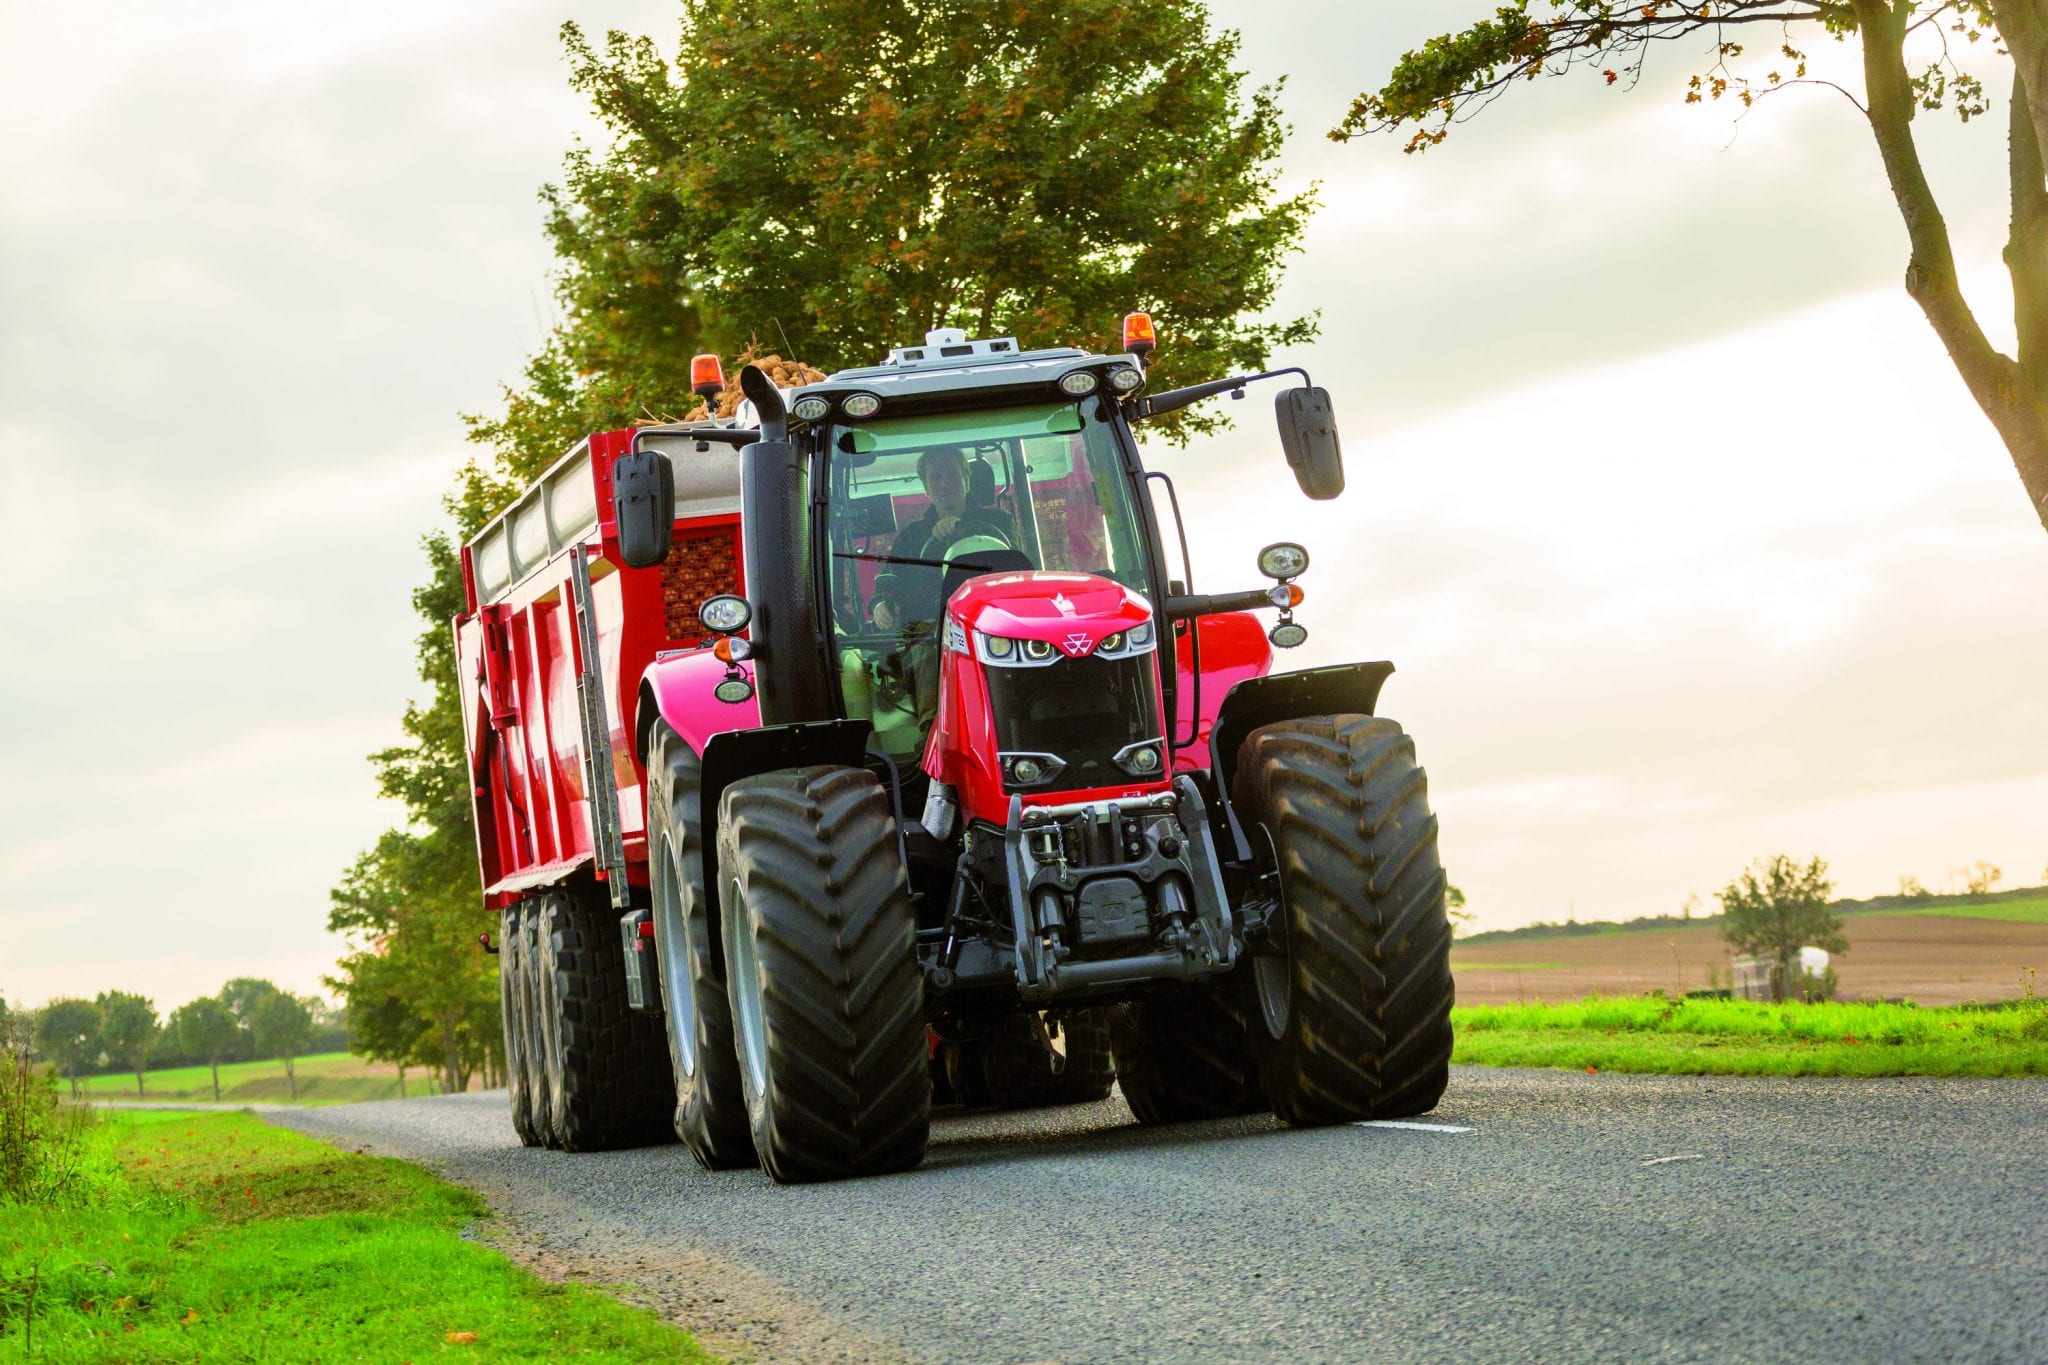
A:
[871,748]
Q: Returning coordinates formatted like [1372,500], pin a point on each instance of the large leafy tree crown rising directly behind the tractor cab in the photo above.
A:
[849,175]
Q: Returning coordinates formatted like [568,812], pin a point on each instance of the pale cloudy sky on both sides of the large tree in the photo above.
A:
[1684,537]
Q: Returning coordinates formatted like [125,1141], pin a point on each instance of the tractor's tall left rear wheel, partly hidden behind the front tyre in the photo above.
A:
[712,1110]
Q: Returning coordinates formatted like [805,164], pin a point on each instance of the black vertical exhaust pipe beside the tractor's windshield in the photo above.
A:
[775,504]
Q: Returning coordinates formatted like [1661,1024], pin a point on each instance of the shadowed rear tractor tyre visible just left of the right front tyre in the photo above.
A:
[1187,1057]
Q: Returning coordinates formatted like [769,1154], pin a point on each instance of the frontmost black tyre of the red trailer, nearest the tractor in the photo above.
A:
[605,1067]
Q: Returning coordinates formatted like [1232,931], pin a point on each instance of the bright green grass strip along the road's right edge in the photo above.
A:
[1746,1039]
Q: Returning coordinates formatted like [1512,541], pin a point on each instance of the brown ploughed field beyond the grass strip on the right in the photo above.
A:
[1943,957]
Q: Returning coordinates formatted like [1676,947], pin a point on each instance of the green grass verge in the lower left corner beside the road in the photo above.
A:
[228,1239]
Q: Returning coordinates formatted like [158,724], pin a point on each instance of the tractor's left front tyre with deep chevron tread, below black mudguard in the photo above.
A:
[822,971]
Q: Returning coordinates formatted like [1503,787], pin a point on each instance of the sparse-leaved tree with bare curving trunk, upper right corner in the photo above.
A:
[1457,75]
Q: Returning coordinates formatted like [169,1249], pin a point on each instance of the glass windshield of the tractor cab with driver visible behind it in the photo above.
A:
[923,502]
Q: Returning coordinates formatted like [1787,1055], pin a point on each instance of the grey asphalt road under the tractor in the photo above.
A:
[1644,1219]
